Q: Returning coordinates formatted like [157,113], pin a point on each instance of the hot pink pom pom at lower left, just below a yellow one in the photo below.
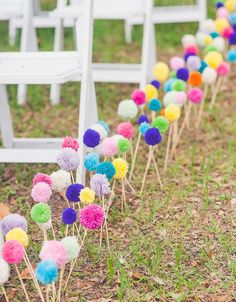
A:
[12,252]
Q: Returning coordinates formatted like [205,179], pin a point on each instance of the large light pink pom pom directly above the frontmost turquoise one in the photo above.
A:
[54,250]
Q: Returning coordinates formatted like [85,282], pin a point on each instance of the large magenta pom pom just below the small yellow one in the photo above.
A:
[91,217]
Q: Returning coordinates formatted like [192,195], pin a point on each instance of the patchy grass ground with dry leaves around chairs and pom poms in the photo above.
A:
[175,245]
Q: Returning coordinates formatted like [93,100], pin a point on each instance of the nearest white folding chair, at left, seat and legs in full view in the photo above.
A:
[48,68]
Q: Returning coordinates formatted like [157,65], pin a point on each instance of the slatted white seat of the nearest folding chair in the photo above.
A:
[39,67]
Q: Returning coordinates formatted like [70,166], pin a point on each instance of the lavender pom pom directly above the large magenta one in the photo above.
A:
[100,184]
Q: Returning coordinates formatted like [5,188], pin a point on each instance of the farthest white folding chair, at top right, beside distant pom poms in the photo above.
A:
[170,14]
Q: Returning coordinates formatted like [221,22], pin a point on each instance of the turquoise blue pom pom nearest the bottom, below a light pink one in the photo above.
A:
[46,272]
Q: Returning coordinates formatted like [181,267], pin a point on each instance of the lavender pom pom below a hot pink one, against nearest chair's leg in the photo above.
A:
[68,159]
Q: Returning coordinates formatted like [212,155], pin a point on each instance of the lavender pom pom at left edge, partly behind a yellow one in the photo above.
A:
[12,221]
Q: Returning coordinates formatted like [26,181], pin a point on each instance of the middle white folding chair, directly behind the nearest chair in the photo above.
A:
[113,10]
